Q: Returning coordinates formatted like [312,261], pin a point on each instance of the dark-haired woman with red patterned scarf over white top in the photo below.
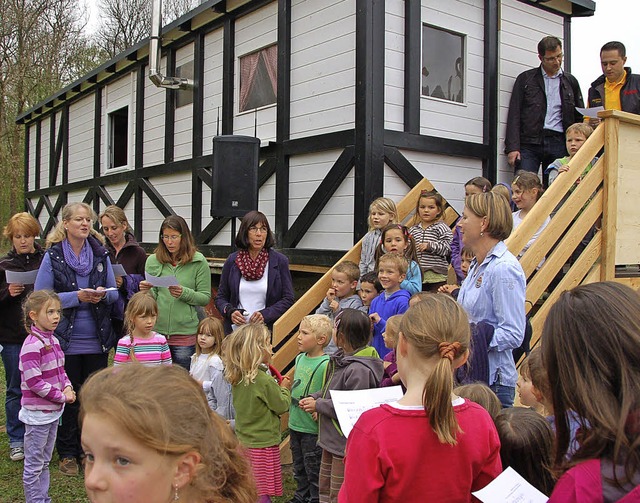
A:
[255,285]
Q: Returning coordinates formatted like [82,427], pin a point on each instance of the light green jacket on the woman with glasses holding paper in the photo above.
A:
[179,316]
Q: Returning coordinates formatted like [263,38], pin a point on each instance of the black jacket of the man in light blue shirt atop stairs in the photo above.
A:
[528,107]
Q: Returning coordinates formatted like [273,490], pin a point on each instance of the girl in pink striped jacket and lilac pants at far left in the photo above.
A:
[45,389]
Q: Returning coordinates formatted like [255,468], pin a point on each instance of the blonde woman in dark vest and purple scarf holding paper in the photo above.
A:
[76,266]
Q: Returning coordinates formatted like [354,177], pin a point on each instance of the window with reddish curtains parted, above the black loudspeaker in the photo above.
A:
[258,78]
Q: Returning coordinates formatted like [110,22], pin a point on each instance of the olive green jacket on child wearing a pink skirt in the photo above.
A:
[258,407]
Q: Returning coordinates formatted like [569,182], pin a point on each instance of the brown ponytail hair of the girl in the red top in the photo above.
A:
[438,320]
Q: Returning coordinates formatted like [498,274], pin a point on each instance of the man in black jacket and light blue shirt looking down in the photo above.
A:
[543,105]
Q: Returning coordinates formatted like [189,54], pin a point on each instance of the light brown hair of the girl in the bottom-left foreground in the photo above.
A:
[164,409]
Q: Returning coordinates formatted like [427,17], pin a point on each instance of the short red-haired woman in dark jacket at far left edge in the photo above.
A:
[25,255]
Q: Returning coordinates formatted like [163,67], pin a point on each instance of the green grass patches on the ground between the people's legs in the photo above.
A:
[63,489]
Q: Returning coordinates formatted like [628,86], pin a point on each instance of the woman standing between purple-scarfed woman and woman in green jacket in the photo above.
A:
[124,250]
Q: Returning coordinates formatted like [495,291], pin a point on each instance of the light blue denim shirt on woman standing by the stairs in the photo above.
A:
[494,292]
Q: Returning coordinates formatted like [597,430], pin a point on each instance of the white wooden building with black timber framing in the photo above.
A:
[351,100]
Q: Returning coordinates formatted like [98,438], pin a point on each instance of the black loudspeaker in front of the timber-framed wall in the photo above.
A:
[235,175]
